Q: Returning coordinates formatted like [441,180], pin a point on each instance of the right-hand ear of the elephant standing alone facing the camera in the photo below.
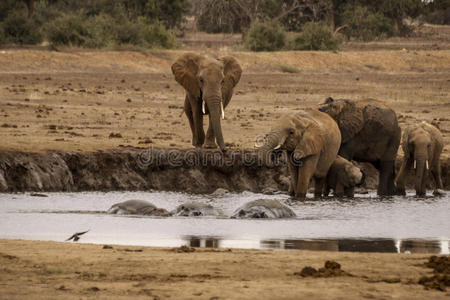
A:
[232,74]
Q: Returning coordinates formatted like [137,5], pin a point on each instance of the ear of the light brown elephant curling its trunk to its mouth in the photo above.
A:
[311,142]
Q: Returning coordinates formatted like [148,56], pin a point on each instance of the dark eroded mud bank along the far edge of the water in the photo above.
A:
[192,171]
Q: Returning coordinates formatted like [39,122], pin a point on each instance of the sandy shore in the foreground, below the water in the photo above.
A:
[50,270]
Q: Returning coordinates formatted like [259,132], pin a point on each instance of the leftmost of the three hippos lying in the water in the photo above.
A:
[137,207]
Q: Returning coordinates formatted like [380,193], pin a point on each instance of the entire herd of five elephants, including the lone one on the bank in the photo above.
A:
[320,142]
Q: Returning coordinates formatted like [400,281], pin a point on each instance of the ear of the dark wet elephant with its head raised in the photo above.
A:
[350,121]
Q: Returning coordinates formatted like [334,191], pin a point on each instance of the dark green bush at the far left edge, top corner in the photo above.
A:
[18,29]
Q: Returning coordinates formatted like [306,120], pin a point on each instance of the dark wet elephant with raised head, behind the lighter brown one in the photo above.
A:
[370,133]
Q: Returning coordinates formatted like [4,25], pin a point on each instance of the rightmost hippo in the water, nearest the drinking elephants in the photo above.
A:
[263,209]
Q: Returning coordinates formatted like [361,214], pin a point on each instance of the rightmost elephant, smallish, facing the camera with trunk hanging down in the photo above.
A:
[422,145]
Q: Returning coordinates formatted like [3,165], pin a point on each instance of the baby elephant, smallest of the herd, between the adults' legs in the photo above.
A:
[342,178]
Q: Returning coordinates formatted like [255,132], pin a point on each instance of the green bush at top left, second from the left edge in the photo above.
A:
[68,30]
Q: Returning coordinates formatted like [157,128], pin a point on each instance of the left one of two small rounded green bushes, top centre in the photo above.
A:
[267,36]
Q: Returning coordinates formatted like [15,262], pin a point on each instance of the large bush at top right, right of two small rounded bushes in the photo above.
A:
[364,24]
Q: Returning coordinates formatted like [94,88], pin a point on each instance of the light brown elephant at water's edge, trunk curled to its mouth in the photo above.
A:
[311,139]
